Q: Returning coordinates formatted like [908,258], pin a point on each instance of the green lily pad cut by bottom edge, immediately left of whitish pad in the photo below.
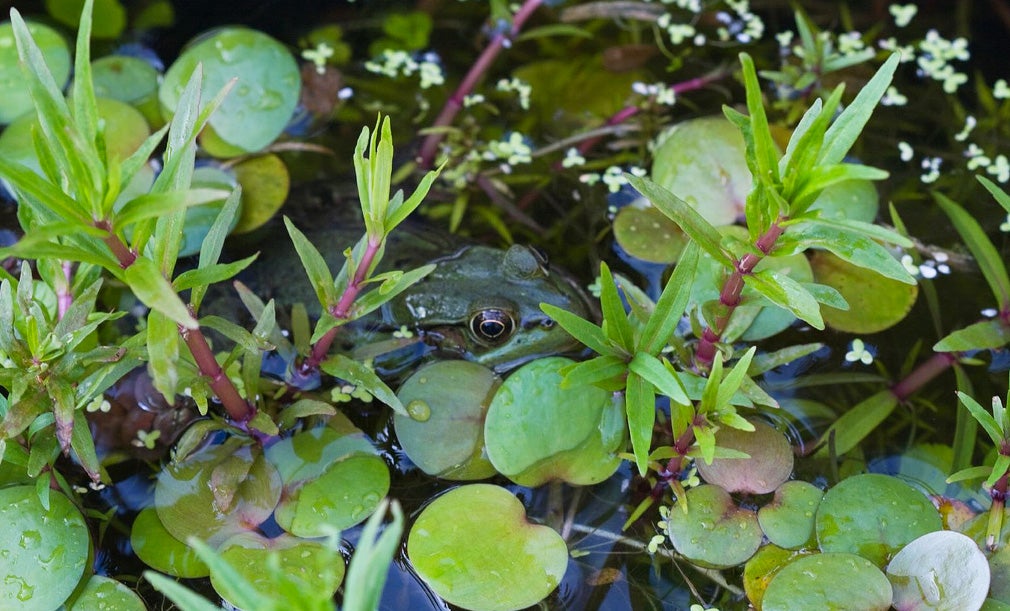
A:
[841,582]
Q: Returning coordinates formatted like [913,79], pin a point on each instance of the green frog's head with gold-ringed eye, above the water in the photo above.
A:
[484,303]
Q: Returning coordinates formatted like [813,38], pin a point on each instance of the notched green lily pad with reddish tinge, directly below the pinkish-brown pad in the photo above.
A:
[714,532]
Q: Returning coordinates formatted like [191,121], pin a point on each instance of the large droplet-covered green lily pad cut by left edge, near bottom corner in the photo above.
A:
[45,551]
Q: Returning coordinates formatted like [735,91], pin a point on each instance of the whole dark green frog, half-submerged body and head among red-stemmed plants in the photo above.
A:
[480,302]
